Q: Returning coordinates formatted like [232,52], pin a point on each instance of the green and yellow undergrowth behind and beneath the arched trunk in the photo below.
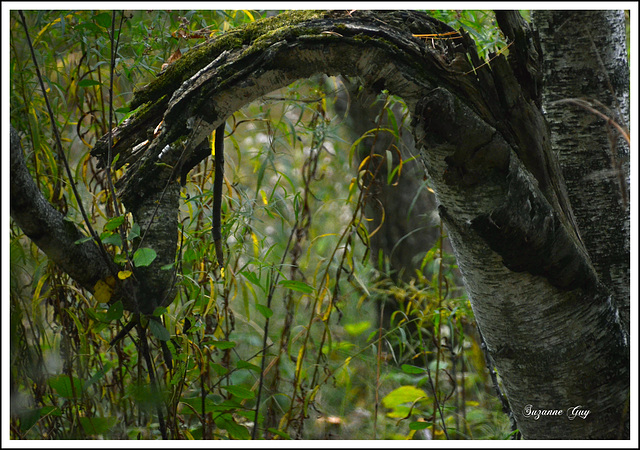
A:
[287,335]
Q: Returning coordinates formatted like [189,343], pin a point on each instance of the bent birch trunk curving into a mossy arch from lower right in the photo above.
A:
[547,317]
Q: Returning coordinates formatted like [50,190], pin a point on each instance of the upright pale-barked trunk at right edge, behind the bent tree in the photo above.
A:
[586,60]
